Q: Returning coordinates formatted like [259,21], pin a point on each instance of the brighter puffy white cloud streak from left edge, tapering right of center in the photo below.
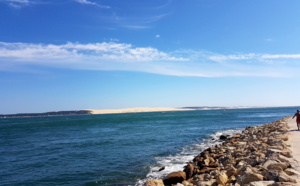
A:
[74,51]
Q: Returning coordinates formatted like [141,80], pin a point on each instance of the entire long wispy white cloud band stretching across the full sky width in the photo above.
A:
[122,56]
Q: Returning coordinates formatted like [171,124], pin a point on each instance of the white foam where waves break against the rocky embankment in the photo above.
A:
[177,162]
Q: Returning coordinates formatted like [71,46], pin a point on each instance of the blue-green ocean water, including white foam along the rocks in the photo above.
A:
[115,149]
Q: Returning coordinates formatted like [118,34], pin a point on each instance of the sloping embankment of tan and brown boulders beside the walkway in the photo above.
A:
[259,156]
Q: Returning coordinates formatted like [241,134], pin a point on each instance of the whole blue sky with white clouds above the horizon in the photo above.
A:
[111,54]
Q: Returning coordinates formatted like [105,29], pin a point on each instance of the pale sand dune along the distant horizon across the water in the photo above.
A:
[136,110]
